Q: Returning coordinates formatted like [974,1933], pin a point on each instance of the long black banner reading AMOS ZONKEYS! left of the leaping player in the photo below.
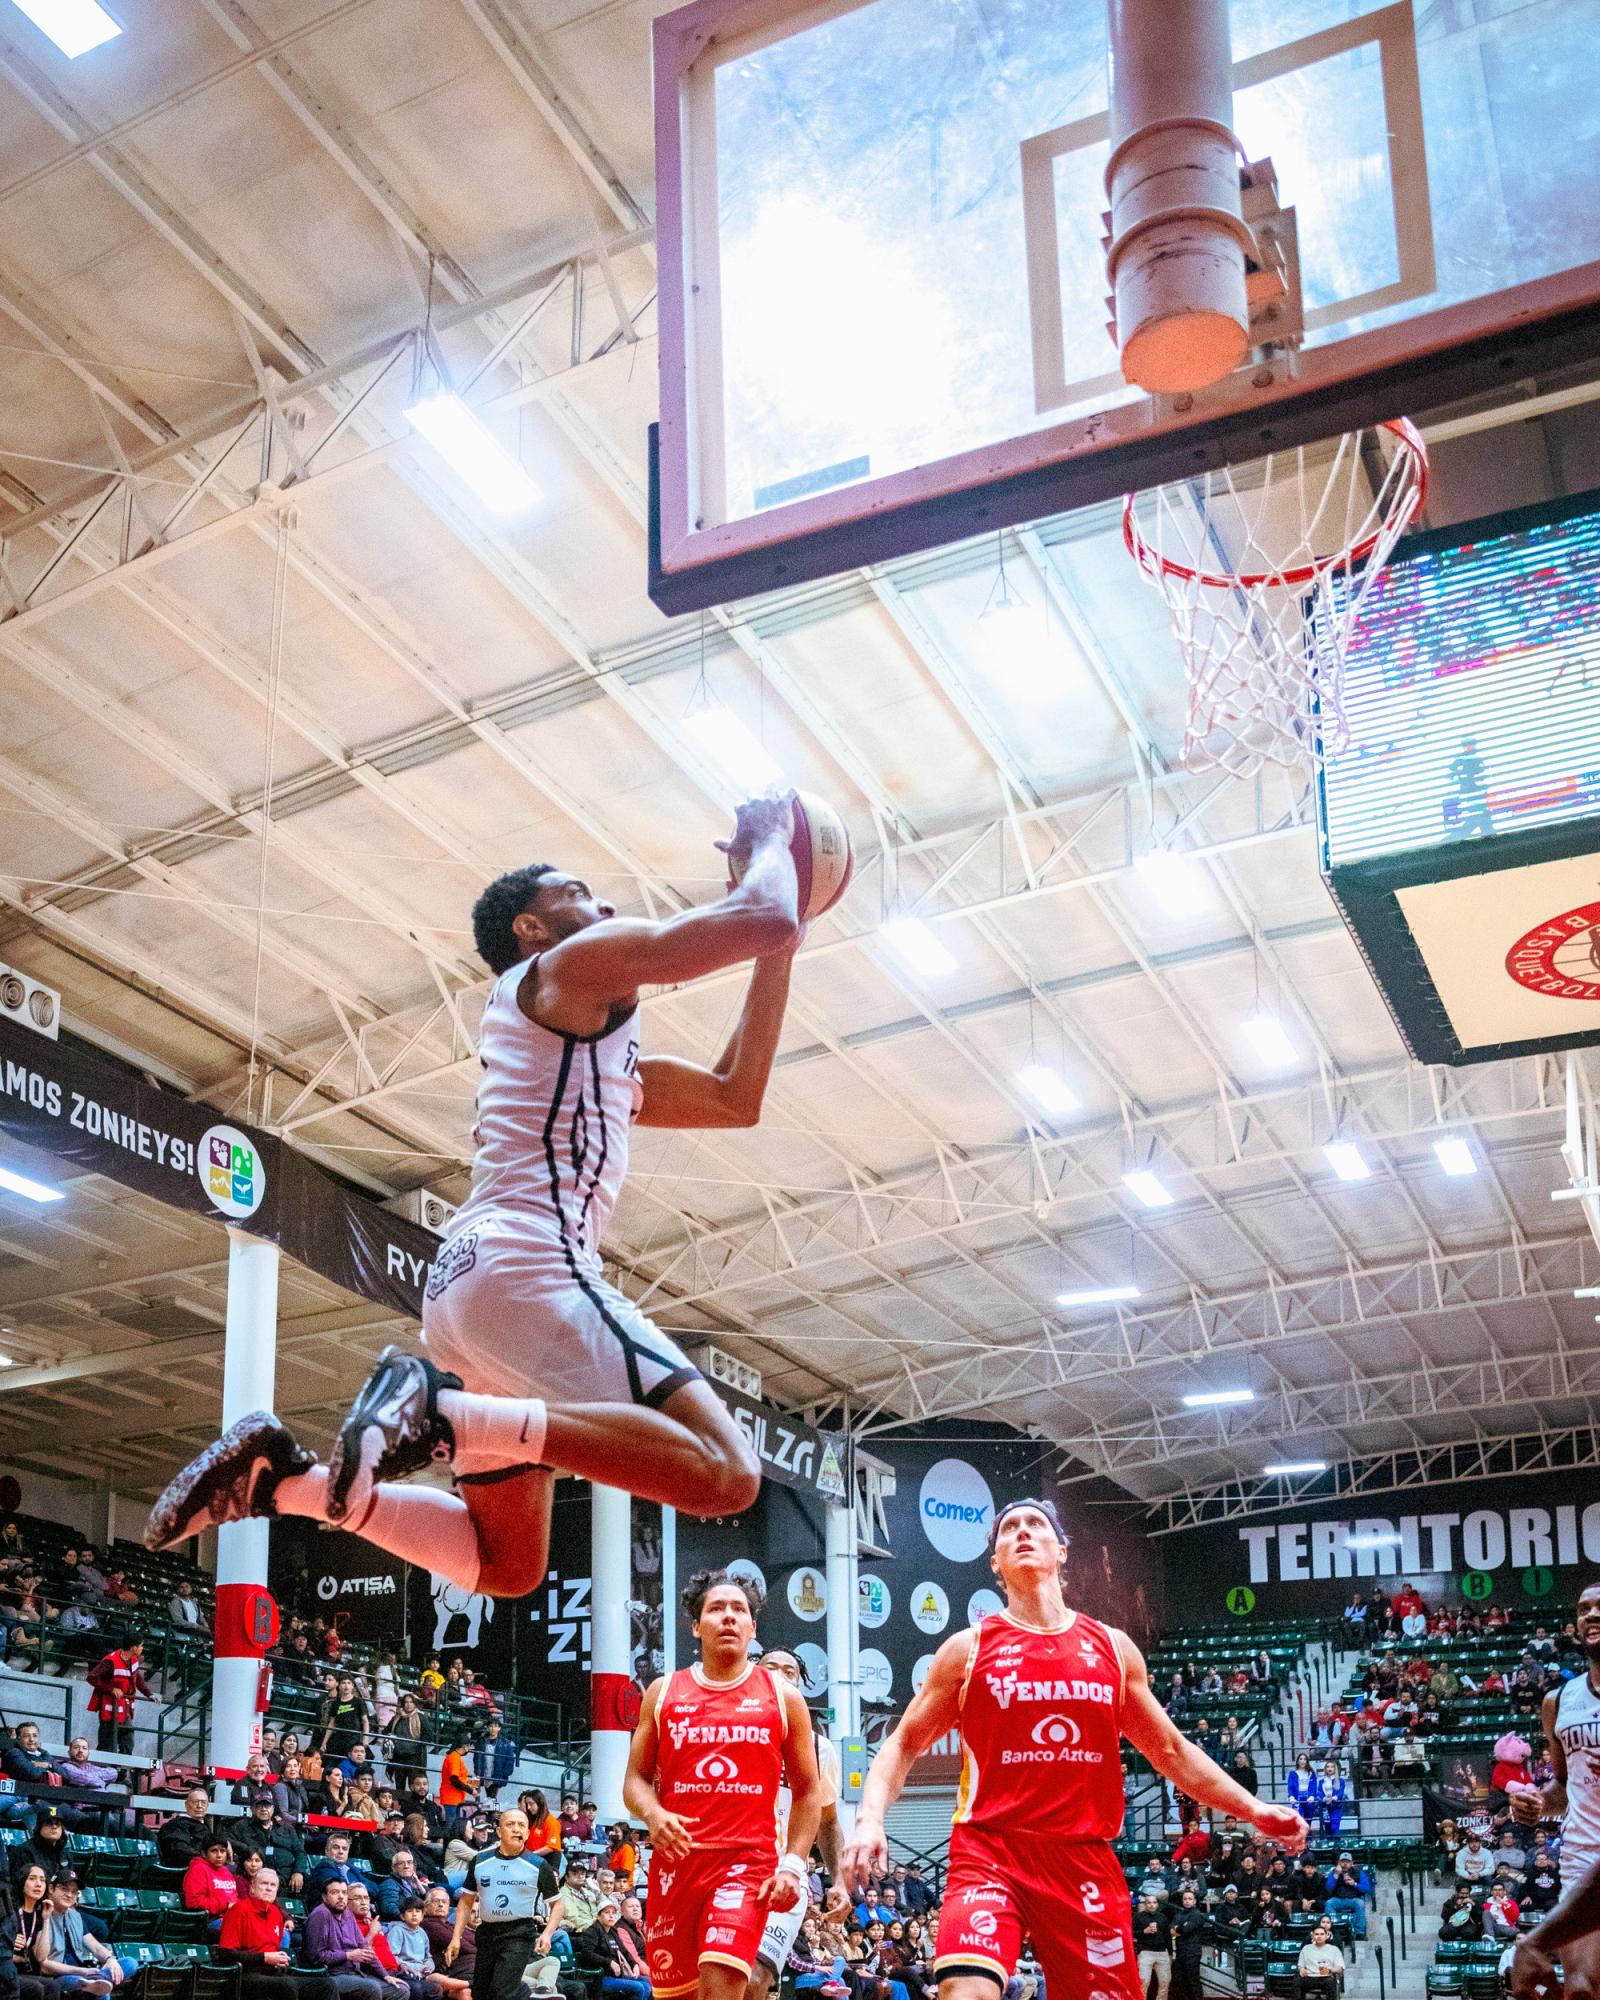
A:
[107,1119]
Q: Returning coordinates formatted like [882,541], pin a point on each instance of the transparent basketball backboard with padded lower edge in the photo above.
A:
[883,273]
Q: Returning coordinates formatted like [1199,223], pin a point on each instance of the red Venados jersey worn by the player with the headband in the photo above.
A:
[1043,1731]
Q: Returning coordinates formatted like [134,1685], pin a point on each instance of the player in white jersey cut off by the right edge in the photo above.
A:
[1571,1717]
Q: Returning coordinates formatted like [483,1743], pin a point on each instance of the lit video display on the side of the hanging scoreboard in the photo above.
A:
[1473,693]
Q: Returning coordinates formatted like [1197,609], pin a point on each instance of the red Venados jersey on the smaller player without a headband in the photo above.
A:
[721,1757]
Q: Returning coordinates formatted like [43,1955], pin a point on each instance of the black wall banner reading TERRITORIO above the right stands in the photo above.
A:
[1525,1543]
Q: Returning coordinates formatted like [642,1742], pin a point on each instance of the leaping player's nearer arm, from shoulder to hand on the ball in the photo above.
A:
[605,963]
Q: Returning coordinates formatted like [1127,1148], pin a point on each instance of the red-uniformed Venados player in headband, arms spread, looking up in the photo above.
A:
[1043,1699]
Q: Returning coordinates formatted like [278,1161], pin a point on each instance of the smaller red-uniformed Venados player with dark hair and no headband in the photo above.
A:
[713,1749]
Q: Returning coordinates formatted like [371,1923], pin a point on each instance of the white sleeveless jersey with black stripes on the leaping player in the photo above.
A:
[553,1119]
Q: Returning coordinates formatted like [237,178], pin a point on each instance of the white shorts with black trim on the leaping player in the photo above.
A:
[517,1313]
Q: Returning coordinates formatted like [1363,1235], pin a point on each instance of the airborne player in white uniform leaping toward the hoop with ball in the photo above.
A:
[533,1359]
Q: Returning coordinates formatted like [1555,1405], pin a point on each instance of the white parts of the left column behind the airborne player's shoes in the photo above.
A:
[249,1383]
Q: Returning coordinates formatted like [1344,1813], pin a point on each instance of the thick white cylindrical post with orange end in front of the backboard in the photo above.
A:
[1177,237]
